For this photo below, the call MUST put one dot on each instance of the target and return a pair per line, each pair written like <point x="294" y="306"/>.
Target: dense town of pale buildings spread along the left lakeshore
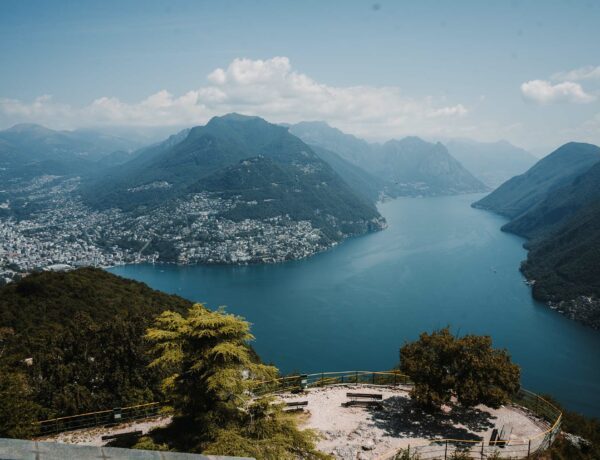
<point x="61" y="232"/>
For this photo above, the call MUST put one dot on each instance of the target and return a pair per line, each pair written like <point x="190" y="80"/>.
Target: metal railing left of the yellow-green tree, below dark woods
<point x="100" y="418"/>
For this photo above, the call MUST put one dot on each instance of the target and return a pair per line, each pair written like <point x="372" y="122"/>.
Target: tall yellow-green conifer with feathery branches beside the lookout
<point x="209" y="374"/>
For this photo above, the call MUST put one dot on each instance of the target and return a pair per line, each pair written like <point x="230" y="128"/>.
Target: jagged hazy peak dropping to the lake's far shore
<point x="418" y="167"/>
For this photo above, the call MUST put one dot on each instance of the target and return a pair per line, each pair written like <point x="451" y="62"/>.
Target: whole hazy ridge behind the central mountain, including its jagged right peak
<point x="409" y="166"/>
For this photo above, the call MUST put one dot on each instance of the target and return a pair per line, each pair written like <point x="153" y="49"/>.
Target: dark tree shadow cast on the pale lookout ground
<point x="401" y="417"/>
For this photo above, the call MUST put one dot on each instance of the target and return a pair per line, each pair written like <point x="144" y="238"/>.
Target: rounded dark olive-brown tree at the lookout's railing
<point x="443" y="367"/>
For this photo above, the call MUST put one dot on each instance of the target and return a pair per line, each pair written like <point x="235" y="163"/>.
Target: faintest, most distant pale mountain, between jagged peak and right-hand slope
<point x="491" y="162"/>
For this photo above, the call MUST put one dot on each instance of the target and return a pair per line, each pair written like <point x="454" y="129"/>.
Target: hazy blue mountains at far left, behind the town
<point x="29" y="150"/>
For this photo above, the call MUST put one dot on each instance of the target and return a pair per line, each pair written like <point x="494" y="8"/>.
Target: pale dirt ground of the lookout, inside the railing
<point x="376" y="433"/>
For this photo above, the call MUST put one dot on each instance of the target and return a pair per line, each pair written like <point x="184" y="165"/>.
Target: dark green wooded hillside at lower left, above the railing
<point x="83" y="331"/>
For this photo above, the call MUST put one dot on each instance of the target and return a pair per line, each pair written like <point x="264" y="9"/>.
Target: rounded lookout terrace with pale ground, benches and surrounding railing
<point x="377" y="421"/>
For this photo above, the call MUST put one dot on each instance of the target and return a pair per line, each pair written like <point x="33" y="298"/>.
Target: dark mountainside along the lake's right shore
<point x="556" y="205"/>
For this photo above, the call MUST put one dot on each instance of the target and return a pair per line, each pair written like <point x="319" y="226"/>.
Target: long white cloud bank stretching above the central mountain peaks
<point x="270" y="88"/>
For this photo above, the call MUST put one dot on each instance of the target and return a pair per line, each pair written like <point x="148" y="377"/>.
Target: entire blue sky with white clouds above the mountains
<point x="524" y="71"/>
